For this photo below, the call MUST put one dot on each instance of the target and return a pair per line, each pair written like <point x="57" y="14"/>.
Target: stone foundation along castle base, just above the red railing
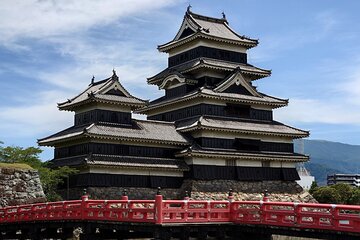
<point x="204" y="190"/>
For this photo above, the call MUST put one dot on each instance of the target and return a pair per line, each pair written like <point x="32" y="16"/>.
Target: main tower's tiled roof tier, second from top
<point x="255" y="72"/>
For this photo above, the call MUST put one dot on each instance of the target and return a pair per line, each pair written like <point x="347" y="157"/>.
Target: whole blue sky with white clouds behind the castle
<point x="49" y="51"/>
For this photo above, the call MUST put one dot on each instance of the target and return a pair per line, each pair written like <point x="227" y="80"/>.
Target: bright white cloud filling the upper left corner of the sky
<point x="44" y="18"/>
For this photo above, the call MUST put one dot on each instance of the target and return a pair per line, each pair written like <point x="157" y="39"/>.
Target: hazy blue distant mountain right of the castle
<point x="330" y="157"/>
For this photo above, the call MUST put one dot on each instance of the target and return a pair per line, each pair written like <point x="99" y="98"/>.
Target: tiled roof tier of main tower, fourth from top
<point x="242" y="126"/>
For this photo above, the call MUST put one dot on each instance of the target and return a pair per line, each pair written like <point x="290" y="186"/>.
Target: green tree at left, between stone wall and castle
<point x="50" y="177"/>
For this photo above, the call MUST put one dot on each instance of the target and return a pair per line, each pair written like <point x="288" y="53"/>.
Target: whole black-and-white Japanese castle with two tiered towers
<point x="211" y="131"/>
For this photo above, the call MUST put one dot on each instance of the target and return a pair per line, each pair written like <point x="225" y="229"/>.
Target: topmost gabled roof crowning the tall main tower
<point x="198" y="26"/>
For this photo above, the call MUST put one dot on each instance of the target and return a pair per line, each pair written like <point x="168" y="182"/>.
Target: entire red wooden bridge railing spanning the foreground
<point x="345" y="218"/>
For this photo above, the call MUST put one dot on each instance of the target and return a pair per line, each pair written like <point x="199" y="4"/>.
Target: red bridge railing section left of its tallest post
<point x="85" y="209"/>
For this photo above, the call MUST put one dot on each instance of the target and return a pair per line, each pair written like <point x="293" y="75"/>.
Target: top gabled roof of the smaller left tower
<point x="109" y="90"/>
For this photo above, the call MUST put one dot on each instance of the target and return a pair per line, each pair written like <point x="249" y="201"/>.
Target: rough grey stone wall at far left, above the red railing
<point x="20" y="186"/>
